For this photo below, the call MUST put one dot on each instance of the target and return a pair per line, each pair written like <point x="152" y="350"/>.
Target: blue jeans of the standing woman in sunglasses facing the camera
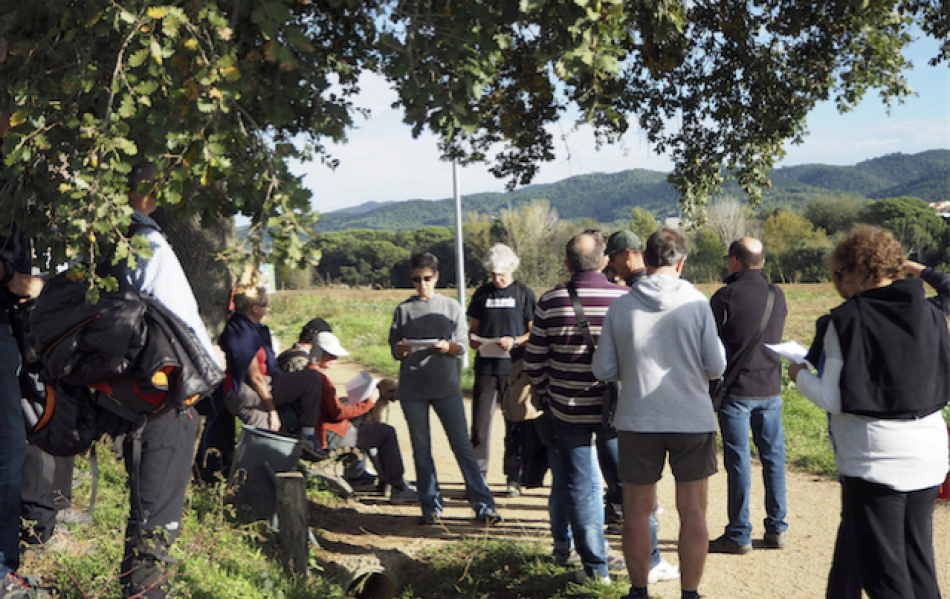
<point x="451" y="413"/>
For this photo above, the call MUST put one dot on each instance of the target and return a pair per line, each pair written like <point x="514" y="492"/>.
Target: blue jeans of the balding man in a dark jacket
<point x="765" y="417"/>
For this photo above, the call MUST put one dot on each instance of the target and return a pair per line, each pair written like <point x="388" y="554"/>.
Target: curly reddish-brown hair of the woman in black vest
<point x="871" y="251"/>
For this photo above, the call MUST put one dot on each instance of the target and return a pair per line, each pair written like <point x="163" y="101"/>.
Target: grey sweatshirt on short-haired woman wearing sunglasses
<point x="427" y="373"/>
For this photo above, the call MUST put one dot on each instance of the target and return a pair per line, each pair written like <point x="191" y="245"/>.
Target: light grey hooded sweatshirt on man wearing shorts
<point x="660" y="341"/>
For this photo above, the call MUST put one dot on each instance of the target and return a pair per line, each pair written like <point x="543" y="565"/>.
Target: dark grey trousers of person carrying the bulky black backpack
<point x="168" y="444"/>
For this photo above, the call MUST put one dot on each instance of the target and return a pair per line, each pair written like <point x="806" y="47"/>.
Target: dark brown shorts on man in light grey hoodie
<point x="642" y="455"/>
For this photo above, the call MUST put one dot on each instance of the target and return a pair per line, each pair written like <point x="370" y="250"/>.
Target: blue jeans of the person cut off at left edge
<point x="12" y="452"/>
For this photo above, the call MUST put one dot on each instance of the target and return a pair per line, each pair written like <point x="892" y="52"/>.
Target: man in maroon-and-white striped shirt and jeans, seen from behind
<point x="558" y="362"/>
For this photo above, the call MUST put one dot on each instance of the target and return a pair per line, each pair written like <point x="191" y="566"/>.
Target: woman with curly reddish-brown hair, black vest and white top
<point x="883" y="379"/>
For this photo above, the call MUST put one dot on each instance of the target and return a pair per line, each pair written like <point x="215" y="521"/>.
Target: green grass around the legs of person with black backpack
<point x="218" y="557"/>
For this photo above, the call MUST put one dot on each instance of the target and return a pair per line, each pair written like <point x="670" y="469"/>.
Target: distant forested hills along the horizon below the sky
<point x="608" y="197"/>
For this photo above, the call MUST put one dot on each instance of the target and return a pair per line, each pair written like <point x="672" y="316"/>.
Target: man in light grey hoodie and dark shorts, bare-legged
<point x="660" y="341"/>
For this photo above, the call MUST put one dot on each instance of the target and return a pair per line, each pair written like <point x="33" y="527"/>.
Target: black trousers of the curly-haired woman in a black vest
<point x="893" y="534"/>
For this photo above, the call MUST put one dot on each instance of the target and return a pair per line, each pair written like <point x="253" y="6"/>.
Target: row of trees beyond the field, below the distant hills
<point x="798" y="243"/>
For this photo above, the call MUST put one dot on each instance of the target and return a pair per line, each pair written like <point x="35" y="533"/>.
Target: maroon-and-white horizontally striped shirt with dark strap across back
<point x="557" y="358"/>
